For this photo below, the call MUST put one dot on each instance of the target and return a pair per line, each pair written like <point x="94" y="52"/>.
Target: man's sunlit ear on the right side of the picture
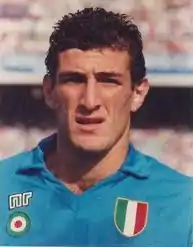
<point x="139" y="93"/>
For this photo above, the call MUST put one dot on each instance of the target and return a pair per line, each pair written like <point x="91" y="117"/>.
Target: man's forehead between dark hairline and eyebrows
<point x="93" y="60"/>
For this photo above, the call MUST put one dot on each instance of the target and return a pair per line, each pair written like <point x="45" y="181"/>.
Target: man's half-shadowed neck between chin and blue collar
<point x="83" y="169"/>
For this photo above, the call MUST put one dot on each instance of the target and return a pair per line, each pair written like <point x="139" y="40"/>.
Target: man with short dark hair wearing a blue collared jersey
<point x="87" y="184"/>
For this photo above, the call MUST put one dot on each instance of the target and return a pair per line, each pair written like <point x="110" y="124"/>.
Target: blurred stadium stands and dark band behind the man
<point x="163" y="127"/>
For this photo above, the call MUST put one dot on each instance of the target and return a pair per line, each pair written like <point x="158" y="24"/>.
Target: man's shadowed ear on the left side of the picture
<point x="48" y="91"/>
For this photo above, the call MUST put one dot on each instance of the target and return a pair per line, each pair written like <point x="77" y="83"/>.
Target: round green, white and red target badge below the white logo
<point x="18" y="224"/>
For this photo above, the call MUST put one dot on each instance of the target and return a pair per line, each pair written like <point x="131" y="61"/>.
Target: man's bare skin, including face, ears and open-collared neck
<point x="92" y="98"/>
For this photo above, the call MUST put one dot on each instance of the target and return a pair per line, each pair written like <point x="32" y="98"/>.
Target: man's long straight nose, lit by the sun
<point x="90" y="98"/>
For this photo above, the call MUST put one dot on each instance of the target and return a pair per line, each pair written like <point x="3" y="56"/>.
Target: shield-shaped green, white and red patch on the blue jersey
<point x="130" y="216"/>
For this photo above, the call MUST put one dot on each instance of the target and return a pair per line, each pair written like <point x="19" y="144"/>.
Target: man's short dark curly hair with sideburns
<point x="94" y="28"/>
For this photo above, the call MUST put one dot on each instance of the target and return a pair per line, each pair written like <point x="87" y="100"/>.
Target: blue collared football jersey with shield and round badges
<point x="144" y="204"/>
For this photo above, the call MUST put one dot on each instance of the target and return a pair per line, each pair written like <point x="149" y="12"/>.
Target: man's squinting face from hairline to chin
<point x="93" y="97"/>
